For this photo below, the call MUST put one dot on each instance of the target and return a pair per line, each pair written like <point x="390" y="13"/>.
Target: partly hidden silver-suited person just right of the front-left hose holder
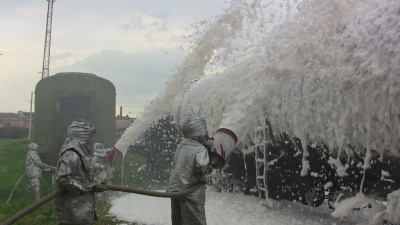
<point x="102" y="168"/>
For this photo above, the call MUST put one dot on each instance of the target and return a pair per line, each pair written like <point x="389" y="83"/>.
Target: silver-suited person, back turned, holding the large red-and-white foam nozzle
<point x="190" y="165"/>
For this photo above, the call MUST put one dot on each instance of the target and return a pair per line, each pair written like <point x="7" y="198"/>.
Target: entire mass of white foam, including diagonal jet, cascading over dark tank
<point x="323" y="71"/>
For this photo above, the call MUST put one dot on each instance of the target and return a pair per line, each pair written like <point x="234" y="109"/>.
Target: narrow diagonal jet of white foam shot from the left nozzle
<point x="193" y="68"/>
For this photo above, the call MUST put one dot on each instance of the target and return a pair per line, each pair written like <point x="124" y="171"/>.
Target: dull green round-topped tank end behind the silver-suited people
<point x="64" y="97"/>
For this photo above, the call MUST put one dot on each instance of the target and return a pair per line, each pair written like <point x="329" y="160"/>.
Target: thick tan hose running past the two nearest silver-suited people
<point x="56" y="193"/>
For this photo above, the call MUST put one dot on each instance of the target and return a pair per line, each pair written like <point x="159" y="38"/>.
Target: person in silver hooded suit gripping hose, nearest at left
<point x="74" y="173"/>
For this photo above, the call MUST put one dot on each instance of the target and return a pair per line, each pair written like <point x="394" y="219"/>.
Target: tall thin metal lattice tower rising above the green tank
<point x="47" y="40"/>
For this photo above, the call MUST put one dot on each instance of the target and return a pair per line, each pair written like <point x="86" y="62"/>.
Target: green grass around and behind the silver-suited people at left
<point x="129" y="172"/>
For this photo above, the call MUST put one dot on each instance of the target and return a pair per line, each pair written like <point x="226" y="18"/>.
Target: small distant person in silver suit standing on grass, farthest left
<point x="33" y="169"/>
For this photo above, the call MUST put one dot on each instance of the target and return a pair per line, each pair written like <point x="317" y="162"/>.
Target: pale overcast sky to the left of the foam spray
<point x="135" y="44"/>
